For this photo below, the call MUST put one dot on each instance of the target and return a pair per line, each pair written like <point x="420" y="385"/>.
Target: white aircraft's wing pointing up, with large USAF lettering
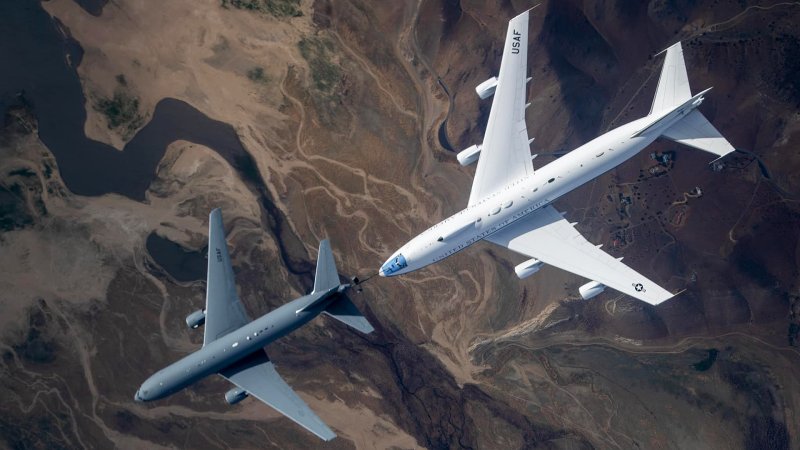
<point x="505" y="153"/>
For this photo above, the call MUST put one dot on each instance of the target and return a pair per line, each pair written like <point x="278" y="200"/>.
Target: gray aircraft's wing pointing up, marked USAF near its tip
<point x="224" y="311"/>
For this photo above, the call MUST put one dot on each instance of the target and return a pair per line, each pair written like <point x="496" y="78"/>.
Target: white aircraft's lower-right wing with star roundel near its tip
<point x="548" y="237"/>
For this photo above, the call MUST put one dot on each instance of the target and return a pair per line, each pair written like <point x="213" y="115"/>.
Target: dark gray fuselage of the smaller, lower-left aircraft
<point x="236" y="345"/>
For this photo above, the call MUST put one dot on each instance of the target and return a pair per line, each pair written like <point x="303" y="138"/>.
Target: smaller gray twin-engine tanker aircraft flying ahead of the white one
<point x="233" y="344"/>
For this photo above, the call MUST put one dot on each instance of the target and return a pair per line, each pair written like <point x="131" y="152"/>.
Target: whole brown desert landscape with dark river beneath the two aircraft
<point x="126" y="122"/>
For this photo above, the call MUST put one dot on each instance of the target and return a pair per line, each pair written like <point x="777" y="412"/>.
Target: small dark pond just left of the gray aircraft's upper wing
<point x="181" y="263"/>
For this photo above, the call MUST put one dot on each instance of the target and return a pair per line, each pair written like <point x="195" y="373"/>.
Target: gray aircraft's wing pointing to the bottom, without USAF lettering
<point x="257" y="375"/>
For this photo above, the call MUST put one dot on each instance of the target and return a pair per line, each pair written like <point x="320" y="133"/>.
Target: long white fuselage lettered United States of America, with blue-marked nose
<point x="526" y="195"/>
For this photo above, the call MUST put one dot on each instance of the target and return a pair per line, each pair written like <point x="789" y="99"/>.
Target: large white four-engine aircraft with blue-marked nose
<point x="510" y="203"/>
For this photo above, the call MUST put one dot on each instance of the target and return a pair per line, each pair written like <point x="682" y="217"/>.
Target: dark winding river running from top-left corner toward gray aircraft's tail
<point x="38" y="71"/>
